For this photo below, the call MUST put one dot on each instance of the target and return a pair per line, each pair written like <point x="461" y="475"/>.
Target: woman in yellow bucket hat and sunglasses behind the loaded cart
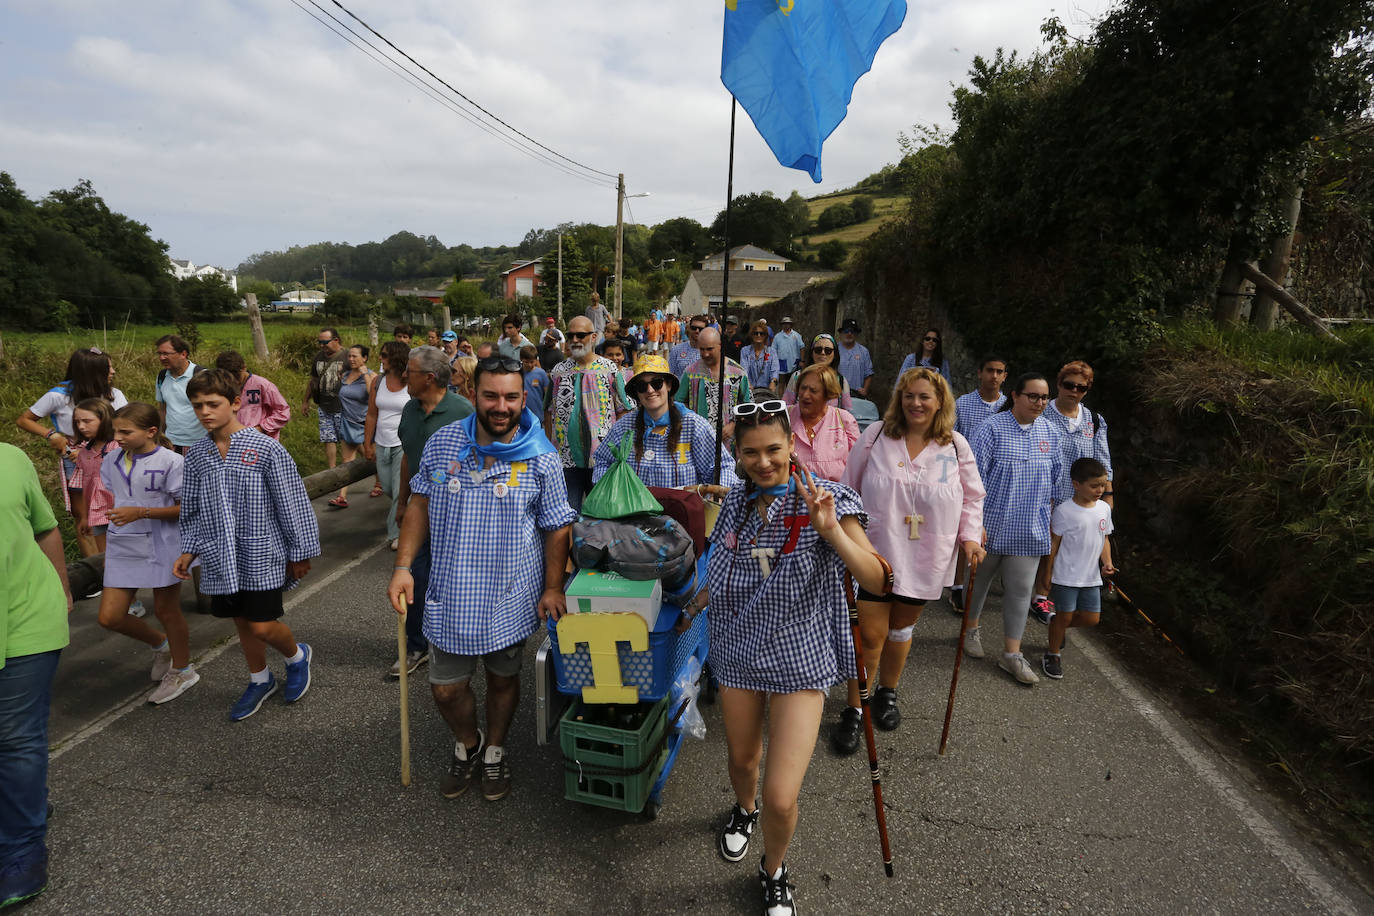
<point x="673" y="446"/>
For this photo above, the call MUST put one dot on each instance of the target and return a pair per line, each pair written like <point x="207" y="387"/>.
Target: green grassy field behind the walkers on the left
<point x="34" y="363"/>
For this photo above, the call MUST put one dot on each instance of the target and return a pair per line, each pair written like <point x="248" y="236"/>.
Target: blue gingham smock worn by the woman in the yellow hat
<point x="693" y="462"/>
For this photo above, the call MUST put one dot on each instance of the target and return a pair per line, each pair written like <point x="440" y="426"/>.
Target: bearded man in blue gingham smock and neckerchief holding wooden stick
<point x="490" y="496"/>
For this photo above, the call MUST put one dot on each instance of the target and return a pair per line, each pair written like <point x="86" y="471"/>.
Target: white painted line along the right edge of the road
<point x="1331" y="899"/>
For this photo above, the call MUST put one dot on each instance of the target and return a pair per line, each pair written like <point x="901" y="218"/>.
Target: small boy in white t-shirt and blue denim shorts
<point x="1079" y="556"/>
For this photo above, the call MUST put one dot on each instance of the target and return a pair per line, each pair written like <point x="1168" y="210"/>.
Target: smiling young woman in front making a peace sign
<point x="780" y="632"/>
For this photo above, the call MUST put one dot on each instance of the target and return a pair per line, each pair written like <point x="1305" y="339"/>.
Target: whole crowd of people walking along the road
<point x="487" y="454"/>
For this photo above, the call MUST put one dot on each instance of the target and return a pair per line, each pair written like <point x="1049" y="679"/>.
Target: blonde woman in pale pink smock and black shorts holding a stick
<point x="923" y="492"/>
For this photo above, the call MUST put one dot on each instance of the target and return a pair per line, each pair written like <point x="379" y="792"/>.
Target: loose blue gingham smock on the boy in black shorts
<point x="245" y="516"/>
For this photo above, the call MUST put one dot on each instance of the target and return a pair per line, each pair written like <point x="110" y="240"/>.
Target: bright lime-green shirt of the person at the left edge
<point x="36" y="608"/>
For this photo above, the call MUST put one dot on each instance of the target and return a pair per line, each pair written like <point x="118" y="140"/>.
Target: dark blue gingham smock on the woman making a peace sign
<point x="789" y="632"/>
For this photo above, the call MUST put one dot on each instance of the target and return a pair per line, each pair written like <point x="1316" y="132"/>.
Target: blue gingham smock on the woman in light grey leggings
<point x="1020" y="470"/>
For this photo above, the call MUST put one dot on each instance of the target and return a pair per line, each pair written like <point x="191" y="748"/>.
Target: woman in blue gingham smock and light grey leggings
<point x="1020" y="461"/>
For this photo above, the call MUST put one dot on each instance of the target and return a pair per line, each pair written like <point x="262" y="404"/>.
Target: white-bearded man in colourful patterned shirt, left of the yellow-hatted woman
<point x="587" y="396"/>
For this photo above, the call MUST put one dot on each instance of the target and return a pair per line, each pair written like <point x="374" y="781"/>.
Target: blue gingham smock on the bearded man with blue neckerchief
<point x="487" y="553"/>
